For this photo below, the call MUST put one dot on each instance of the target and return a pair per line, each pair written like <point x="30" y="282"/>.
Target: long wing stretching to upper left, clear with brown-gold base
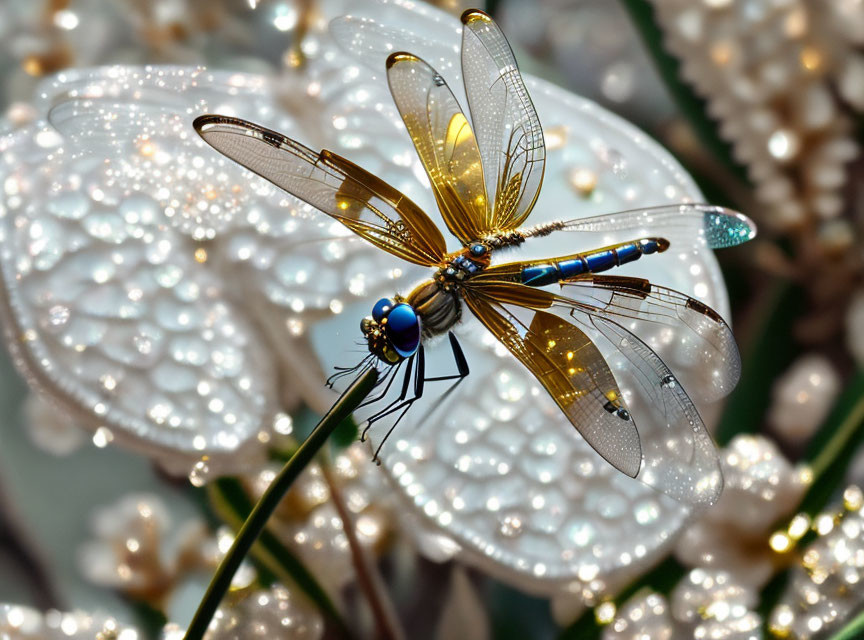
<point x="364" y="203"/>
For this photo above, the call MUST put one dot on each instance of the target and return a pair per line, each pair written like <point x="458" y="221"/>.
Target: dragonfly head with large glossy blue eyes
<point x="392" y="331"/>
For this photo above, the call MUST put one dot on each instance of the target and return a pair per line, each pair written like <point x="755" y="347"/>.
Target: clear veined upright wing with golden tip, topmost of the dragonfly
<point x="506" y="124"/>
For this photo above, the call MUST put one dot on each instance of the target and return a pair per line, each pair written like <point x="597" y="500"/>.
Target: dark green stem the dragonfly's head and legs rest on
<point x="257" y="520"/>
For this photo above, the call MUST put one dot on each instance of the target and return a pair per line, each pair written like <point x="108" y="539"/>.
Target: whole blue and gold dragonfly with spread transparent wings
<point x="486" y="174"/>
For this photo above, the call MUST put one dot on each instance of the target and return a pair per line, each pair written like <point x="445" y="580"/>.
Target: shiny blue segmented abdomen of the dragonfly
<point x="540" y="275"/>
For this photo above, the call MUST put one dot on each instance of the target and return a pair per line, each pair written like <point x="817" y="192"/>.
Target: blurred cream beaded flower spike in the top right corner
<point x="769" y="72"/>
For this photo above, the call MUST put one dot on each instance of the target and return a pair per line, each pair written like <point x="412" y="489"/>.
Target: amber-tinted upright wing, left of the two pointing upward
<point x="445" y="143"/>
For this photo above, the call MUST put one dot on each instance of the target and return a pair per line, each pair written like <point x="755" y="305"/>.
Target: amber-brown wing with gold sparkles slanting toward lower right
<point x="570" y="368"/>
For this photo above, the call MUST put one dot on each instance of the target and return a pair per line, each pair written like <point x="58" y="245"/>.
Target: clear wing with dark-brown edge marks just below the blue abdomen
<point x="696" y="339"/>
